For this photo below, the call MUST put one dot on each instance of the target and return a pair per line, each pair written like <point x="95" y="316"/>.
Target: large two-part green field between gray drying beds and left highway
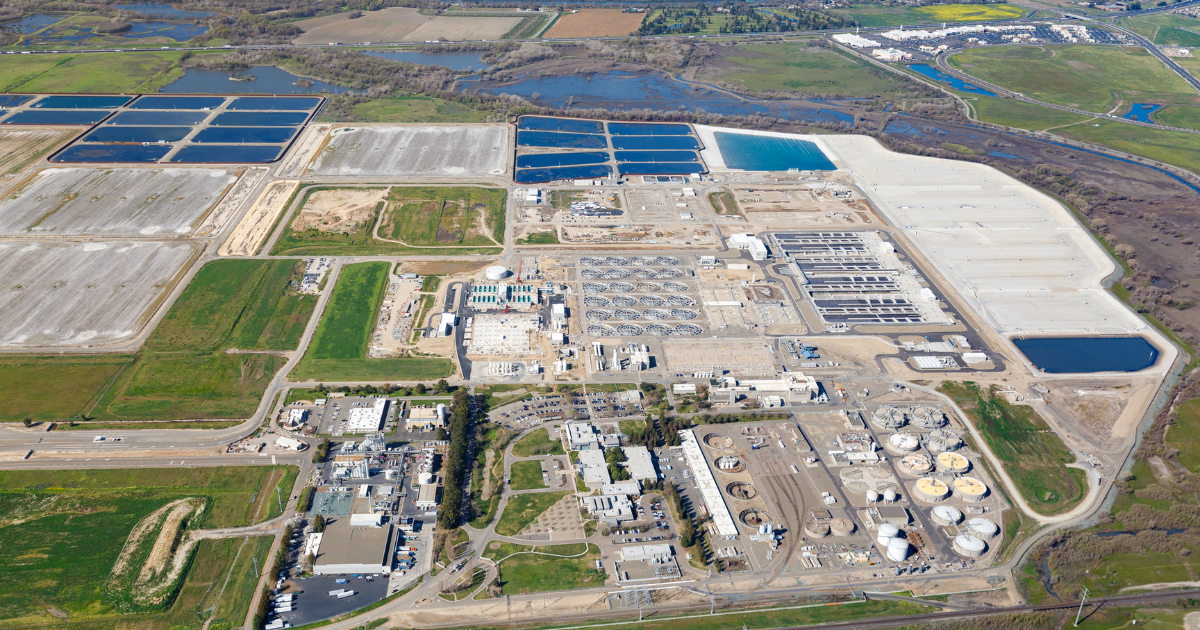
<point x="183" y="371"/>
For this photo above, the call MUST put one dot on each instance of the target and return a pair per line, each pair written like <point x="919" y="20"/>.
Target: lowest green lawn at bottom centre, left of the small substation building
<point x="538" y="573"/>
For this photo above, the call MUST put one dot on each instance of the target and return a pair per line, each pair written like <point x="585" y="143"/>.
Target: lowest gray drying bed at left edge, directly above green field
<point x="85" y="293"/>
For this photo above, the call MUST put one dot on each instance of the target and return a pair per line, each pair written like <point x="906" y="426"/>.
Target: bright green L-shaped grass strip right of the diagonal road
<point x="339" y="349"/>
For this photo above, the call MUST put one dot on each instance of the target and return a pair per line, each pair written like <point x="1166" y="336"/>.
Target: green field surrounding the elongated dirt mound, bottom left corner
<point x="63" y="531"/>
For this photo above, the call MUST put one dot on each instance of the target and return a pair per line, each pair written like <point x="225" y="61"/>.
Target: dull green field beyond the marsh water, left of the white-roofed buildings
<point x="799" y="68"/>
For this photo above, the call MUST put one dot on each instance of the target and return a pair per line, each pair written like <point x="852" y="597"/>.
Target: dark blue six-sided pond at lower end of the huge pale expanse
<point x="1059" y="356"/>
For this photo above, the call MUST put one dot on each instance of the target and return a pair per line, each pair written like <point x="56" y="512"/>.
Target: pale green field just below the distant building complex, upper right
<point x="1088" y="77"/>
